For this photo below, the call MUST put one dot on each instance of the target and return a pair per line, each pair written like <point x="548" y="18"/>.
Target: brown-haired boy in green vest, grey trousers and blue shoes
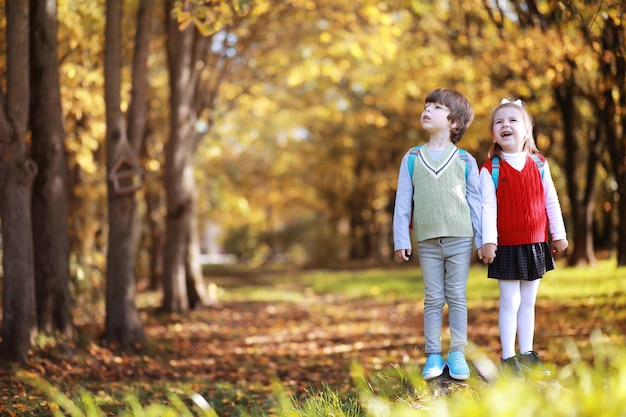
<point x="439" y="191"/>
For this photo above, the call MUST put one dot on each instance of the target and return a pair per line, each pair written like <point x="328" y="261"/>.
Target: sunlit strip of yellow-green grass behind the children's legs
<point x="405" y="282"/>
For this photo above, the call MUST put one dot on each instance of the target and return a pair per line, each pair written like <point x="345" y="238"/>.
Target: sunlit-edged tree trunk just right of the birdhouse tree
<point x="180" y="264"/>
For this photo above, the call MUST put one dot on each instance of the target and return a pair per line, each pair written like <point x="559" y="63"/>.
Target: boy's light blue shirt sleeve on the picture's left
<point x="403" y="207"/>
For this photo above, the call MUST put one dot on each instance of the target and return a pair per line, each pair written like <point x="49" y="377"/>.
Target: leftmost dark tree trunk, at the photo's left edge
<point x="17" y="172"/>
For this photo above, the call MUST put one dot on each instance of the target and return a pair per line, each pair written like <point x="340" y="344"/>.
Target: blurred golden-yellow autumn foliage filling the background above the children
<point x="348" y="76"/>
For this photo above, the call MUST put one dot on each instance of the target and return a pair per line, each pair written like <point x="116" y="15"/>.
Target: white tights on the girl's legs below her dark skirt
<point x="517" y="315"/>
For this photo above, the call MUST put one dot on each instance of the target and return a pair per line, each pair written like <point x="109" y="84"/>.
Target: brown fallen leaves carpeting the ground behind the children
<point x="248" y="345"/>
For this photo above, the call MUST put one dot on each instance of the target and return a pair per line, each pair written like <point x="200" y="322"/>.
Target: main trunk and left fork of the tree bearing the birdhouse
<point x="123" y="327"/>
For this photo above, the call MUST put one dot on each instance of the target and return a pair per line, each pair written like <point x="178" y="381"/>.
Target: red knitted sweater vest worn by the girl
<point x="522" y="217"/>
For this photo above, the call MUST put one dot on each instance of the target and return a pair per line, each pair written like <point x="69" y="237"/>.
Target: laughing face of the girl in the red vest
<point x="509" y="129"/>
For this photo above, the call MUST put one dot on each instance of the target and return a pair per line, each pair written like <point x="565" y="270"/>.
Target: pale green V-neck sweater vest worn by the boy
<point x="439" y="196"/>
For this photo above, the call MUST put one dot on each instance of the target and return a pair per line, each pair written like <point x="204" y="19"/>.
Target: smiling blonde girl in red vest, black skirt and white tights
<point x="519" y="203"/>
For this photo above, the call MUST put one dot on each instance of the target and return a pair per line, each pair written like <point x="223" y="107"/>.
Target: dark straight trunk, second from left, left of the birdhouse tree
<point x="50" y="195"/>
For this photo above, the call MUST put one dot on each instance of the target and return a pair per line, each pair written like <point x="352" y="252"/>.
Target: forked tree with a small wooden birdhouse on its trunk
<point x="123" y="326"/>
